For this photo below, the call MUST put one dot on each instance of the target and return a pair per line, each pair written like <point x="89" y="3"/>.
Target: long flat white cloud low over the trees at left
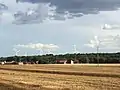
<point x="39" y="46"/>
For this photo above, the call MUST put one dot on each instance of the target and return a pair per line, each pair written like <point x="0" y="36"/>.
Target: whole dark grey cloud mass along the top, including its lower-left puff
<point x="66" y="9"/>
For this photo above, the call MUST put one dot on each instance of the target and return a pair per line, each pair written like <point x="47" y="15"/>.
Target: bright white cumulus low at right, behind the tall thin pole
<point x="106" y="42"/>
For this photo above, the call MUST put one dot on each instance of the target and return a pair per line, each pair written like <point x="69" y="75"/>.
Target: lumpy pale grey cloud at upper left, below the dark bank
<point x="38" y="14"/>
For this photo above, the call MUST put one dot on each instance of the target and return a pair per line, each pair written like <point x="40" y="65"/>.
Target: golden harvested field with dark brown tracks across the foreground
<point x="60" y="77"/>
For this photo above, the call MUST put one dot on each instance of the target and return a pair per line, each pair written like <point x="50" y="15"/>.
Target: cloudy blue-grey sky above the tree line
<point x="61" y="23"/>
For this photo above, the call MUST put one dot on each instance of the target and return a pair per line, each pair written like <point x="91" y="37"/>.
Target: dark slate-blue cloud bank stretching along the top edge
<point x="80" y="6"/>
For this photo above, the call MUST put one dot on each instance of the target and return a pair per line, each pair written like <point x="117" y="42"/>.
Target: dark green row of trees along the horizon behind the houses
<point x="81" y="58"/>
